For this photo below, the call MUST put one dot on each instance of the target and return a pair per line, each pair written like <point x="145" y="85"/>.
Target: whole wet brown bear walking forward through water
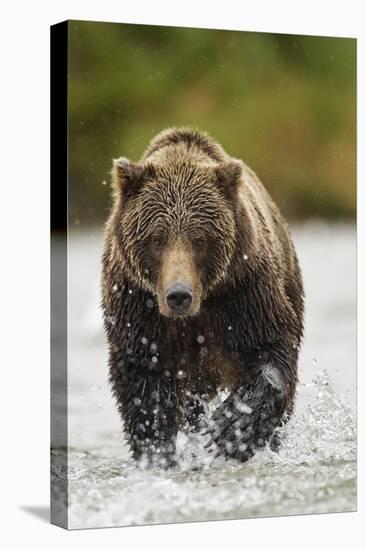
<point x="202" y="290"/>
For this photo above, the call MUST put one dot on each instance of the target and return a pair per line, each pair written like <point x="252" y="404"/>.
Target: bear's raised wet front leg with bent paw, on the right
<point x="247" y="419"/>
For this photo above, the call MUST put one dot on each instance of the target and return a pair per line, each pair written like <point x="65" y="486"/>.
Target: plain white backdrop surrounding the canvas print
<point x="24" y="218"/>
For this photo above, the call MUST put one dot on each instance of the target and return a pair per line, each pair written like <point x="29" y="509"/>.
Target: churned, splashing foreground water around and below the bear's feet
<point x="314" y="471"/>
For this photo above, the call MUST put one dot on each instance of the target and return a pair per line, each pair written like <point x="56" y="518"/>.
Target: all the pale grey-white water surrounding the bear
<point x="315" y="470"/>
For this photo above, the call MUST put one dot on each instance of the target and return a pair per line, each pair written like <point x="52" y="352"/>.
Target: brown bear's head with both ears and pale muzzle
<point x="174" y="222"/>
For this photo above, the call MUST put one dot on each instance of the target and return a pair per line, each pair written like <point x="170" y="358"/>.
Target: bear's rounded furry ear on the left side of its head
<point x="128" y="177"/>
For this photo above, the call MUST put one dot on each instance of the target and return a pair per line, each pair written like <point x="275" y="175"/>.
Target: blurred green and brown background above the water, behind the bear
<point x="285" y="104"/>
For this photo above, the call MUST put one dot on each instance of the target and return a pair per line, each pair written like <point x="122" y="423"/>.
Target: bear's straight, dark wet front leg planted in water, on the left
<point x="148" y="400"/>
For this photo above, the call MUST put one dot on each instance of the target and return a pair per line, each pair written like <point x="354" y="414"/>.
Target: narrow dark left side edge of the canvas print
<point x="59" y="492"/>
